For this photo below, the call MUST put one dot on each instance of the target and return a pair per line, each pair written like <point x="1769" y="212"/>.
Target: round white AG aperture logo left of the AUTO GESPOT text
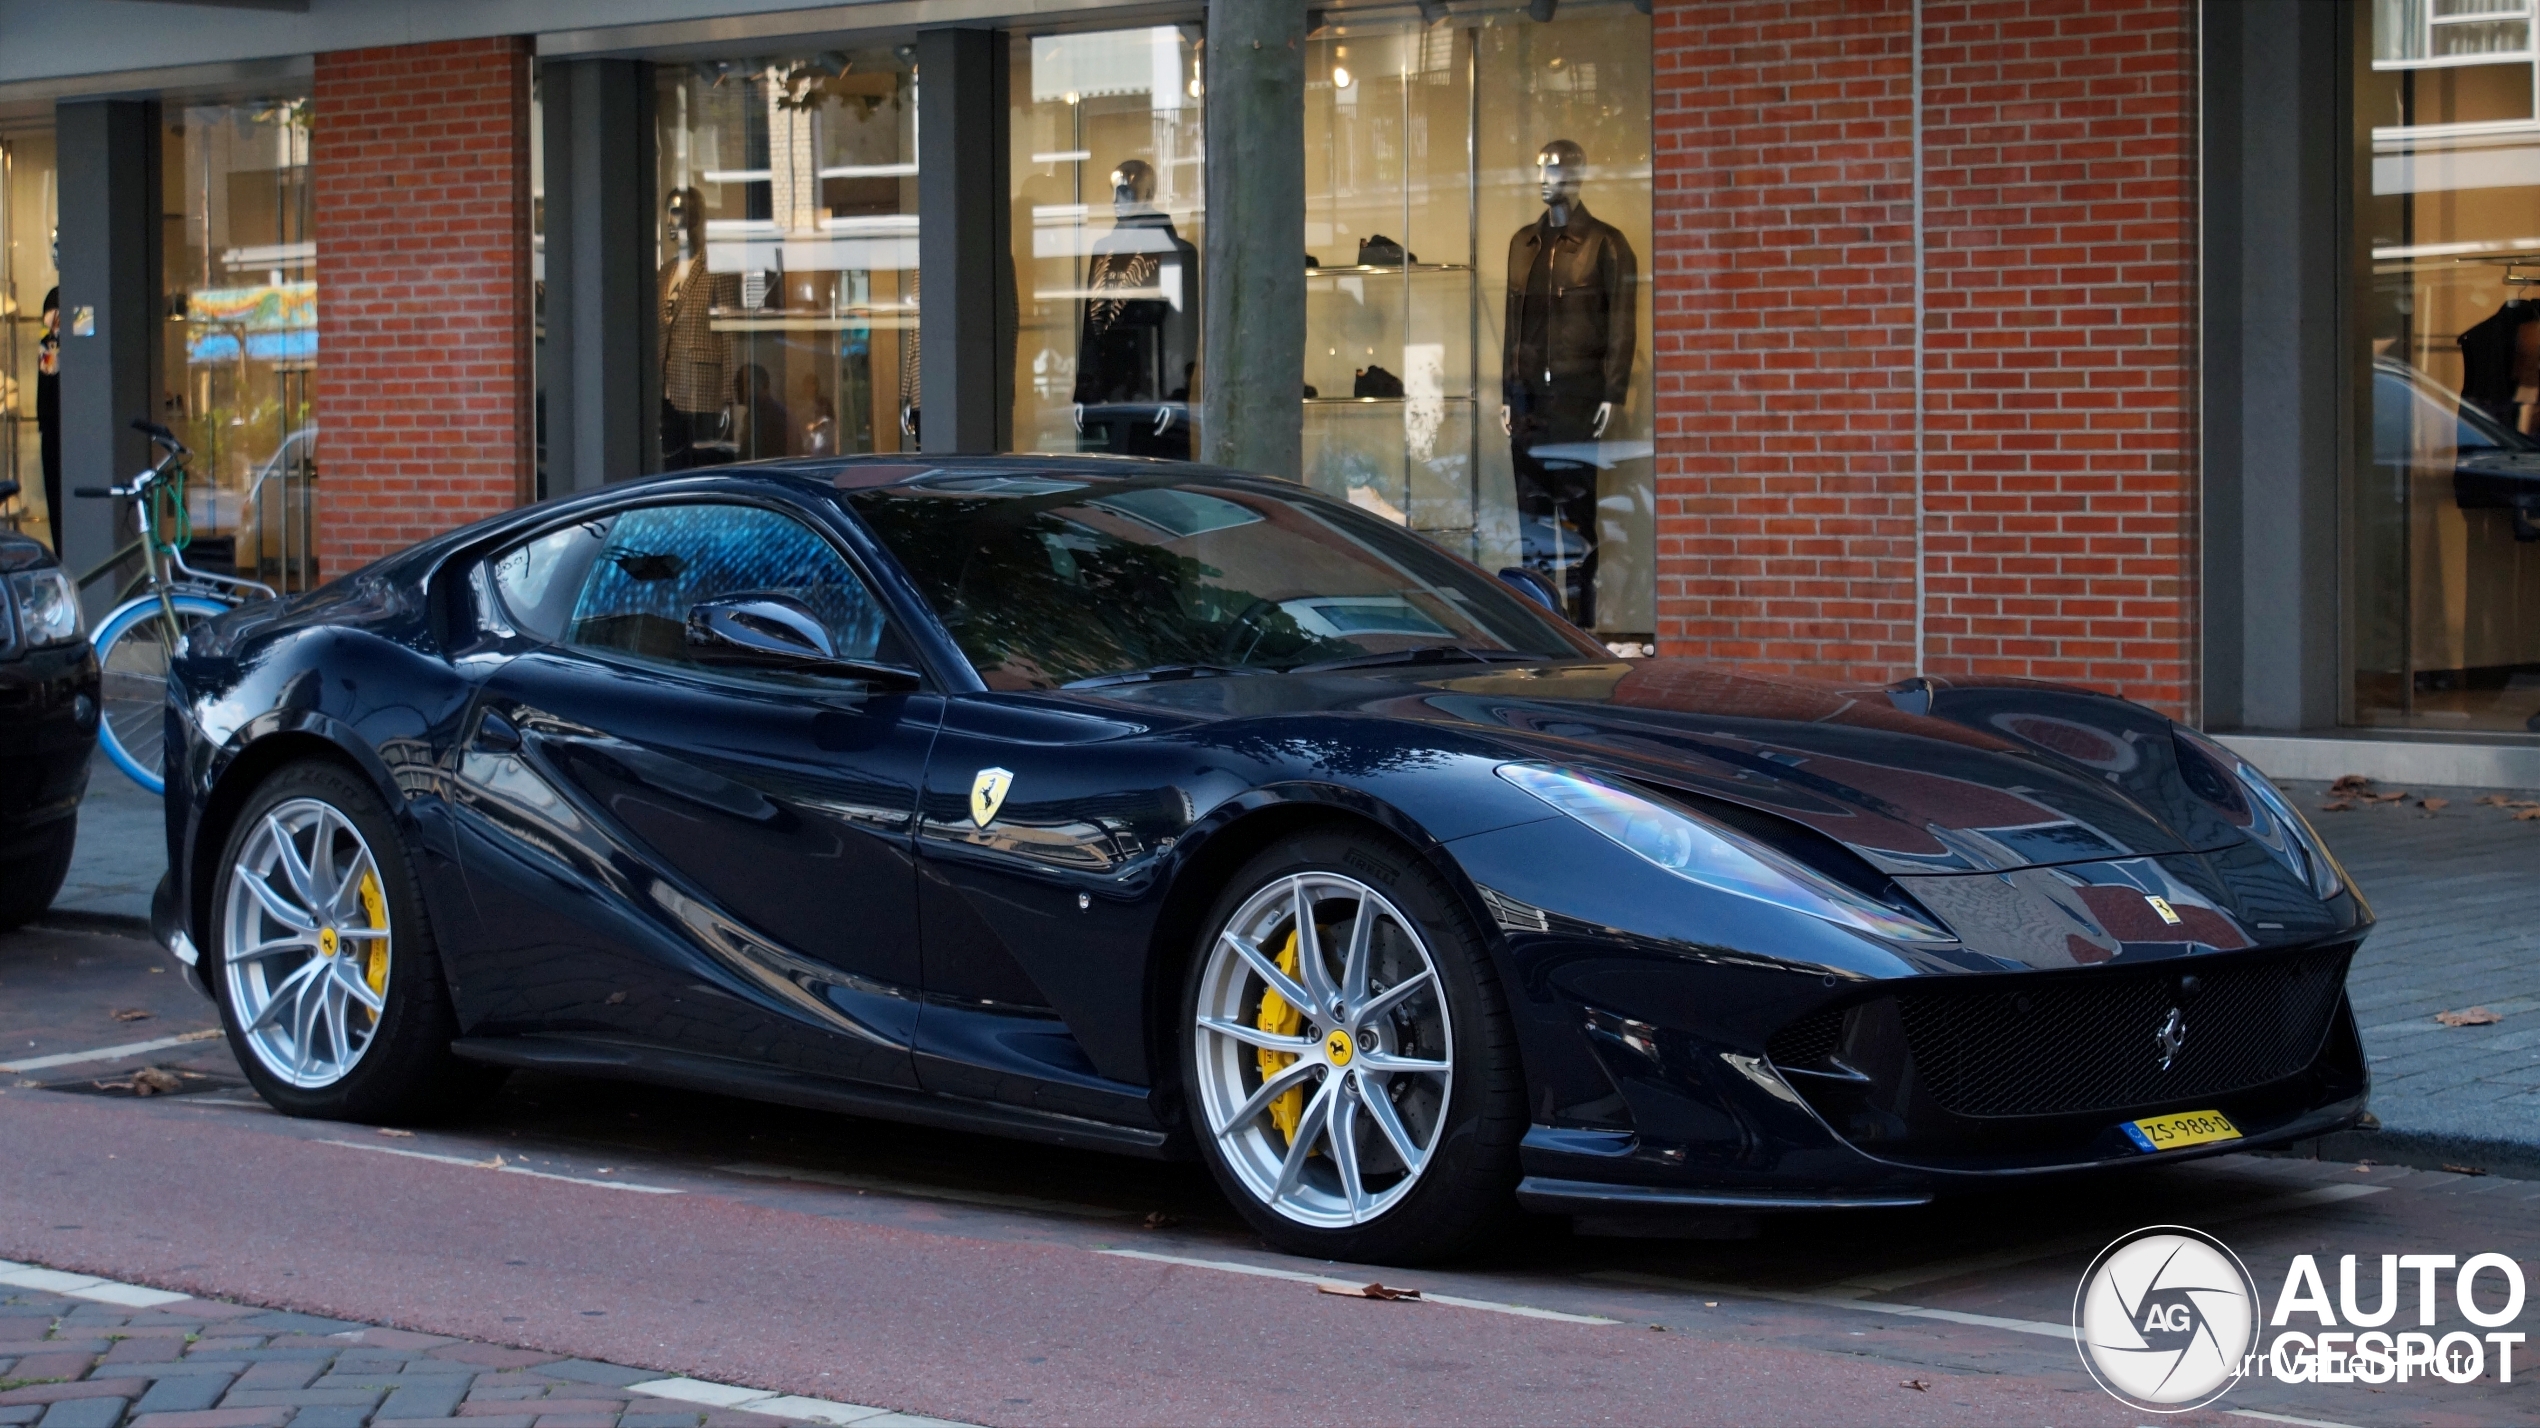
<point x="2165" y="1317"/>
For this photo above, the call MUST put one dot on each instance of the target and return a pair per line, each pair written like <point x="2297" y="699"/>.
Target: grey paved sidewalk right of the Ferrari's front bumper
<point x="2457" y="893"/>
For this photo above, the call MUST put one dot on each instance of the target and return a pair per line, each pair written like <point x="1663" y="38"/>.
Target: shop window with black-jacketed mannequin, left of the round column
<point x="1106" y="240"/>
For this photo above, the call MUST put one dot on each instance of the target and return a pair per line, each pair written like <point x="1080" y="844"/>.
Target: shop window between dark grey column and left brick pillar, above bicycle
<point x="240" y="349"/>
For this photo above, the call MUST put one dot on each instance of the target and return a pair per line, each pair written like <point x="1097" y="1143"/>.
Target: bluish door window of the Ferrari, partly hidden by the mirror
<point x="662" y="560"/>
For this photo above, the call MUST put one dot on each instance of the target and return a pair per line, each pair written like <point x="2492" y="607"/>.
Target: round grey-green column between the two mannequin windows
<point x="1253" y="266"/>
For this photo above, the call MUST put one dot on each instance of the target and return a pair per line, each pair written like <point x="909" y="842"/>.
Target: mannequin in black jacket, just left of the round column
<point x="1139" y="349"/>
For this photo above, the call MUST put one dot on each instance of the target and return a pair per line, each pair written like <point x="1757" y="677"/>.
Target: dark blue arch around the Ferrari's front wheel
<point x="1210" y="855"/>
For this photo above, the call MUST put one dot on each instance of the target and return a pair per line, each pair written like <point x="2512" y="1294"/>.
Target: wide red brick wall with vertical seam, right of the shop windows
<point x="2059" y="339"/>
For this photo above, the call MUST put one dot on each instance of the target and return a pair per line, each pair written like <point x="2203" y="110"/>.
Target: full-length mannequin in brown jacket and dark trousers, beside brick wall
<point x="1566" y="365"/>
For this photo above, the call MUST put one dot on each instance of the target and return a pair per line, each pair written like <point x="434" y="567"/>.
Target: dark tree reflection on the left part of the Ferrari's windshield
<point x="1038" y="598"/>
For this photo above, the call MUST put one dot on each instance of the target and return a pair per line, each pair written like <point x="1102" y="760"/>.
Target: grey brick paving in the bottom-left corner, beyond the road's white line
<point x="194" y="1363"/>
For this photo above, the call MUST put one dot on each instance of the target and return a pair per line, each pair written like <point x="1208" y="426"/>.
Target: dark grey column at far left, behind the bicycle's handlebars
<point x="110" y="319"/>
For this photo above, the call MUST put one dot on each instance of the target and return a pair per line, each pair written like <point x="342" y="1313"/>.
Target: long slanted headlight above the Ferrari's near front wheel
<point x="1716" y="858"/>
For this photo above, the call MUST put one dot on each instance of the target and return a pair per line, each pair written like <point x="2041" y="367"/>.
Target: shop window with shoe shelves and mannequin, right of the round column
<point x="1477" y="329"/>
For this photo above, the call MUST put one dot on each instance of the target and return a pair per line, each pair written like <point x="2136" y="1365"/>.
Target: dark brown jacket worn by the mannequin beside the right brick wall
<point x="1586" y="329"/>
